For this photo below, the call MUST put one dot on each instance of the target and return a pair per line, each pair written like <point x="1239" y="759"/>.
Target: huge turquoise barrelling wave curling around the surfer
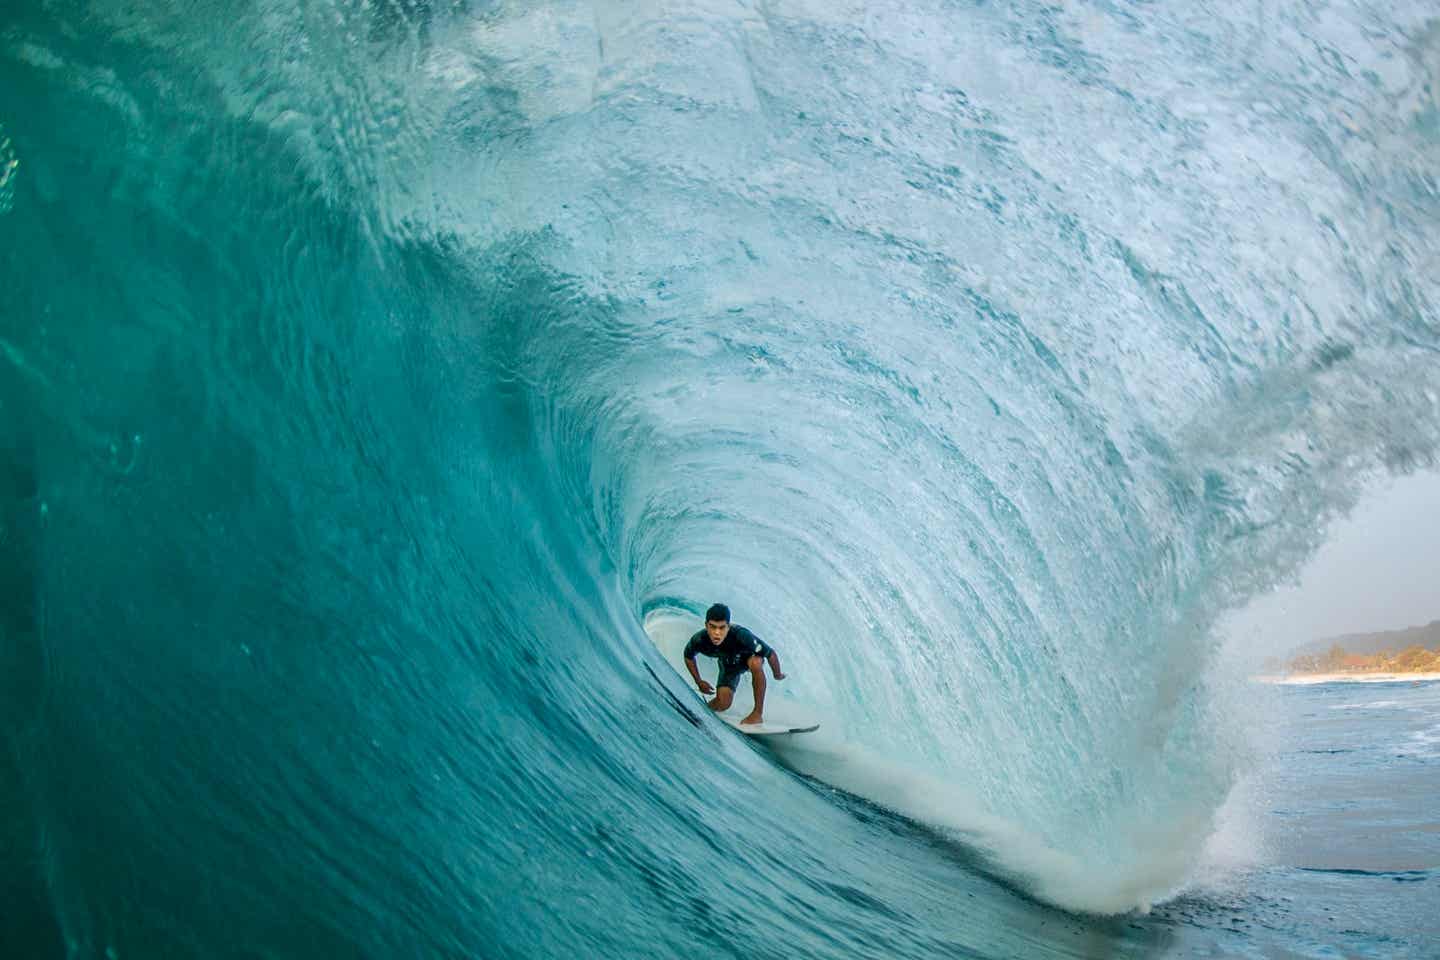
<point x="371" y="373"/>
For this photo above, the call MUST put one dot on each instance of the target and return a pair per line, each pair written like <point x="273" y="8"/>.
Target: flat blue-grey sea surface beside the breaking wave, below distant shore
<point x="1340" y="851"/>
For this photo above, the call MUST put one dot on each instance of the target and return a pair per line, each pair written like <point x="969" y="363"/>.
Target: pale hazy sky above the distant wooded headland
<point x="1380" y="571"/>
